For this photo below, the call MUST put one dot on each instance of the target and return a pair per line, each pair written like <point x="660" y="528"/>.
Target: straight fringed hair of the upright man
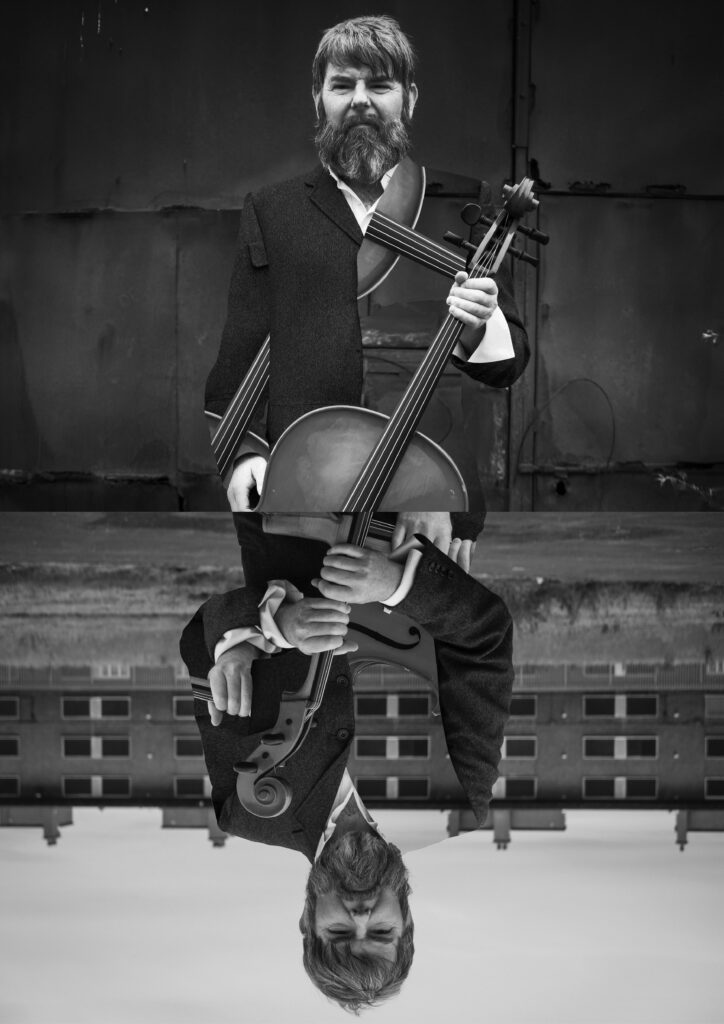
<point x="375" y="41"/>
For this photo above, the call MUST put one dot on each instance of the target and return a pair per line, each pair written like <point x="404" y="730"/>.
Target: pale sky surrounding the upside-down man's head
<point x="125" y="923"/>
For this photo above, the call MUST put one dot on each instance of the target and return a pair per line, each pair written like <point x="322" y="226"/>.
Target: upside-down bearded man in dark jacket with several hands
<point x="357" y="925"/>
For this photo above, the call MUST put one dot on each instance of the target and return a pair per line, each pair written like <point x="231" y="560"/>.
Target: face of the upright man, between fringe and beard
<point x="354" y="94"/>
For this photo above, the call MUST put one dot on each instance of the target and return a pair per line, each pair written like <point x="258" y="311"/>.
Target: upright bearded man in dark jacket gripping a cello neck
<point x="295" y="276"/>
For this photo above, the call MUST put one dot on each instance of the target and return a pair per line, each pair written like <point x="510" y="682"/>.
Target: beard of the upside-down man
<point x="358" y="866"/>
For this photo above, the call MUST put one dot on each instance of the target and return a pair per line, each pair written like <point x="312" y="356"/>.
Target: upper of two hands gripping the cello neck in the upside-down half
<point x="357" y="576"/>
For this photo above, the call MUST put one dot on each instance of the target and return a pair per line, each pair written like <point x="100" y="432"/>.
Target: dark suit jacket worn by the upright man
<point x="295" y="277"/>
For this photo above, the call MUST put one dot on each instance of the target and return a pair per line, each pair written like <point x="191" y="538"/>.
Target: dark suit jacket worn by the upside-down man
<point x="473" y="631"/>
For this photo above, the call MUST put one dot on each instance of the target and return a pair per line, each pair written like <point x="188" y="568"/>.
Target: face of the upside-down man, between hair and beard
<point x="371" y="925"/>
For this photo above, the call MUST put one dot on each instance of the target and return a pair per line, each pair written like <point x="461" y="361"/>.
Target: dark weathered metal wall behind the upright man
<point x="134" y="130"/>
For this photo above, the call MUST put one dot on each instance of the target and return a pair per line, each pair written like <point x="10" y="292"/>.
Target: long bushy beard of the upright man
<point x="363" y="150"/>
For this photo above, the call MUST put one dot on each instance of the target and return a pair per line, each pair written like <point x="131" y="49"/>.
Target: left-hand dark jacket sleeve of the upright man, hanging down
<point x="247" y="320"/>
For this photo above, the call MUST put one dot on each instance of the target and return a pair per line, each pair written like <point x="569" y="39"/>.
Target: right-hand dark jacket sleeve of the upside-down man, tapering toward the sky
<point x="473" y="631"/>
